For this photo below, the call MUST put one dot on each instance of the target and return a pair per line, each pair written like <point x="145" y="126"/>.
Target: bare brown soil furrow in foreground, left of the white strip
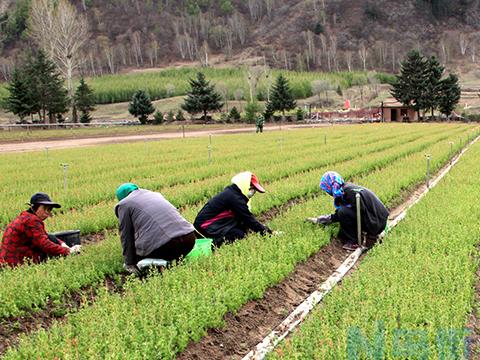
<point x="256" y="319"/>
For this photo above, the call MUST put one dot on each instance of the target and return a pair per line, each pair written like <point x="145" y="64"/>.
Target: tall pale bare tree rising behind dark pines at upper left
<point x="61" y="32"/>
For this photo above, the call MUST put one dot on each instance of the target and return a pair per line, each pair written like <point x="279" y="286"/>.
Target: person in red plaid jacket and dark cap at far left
<point x="25" y="238"/>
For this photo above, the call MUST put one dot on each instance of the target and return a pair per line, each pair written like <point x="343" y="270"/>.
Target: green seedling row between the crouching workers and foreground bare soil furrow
<point x="157" y="318"/>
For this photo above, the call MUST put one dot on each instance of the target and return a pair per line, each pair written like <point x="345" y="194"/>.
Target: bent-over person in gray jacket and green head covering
<point x="150" y="227"/>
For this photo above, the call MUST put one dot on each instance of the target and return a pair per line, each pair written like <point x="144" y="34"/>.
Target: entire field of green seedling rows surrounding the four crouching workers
<point x="398" y="285"/>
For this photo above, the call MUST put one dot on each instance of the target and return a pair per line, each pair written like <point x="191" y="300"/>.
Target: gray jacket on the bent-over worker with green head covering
<point x="146" y="222"/>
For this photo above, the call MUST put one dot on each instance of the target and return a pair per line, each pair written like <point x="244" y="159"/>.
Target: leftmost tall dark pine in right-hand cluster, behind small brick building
<point x="409" y="87"/>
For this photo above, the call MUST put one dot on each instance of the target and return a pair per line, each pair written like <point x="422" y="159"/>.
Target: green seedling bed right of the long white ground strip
<point x="412" y="296"/>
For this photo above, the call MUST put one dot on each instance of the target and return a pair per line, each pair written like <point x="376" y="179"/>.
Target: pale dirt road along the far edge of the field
<point x="92" y="141"/>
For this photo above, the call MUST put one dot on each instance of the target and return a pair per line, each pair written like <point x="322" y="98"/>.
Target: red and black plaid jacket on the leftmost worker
<point x="26" y="238"/>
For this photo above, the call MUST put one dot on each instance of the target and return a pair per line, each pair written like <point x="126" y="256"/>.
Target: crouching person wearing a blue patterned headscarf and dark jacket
<point x="373" y="213"/>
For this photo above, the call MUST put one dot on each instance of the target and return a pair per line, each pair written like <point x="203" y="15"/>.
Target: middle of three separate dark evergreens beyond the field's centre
<point x="202" y="97"/>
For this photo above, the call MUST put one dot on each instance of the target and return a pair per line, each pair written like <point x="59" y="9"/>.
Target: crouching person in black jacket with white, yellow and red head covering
<point x="226" y="217"/>
